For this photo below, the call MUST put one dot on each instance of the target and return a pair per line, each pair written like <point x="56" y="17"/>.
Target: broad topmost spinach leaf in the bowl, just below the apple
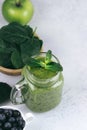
<point x="14" y="33"/>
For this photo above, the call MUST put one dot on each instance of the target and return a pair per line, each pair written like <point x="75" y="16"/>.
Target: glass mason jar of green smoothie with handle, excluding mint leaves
<point x="40" y="89"/>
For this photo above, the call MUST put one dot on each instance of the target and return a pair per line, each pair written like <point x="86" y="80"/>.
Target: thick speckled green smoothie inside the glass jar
<point x="43" y="98"/>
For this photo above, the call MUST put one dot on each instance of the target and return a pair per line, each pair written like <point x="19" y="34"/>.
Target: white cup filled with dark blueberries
<point x="13" y="119"/>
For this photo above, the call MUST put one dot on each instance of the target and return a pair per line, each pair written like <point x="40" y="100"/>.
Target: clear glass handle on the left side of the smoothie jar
<point x="16" y="96"/>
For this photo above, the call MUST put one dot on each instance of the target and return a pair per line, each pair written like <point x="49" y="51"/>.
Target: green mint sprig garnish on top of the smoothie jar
<point x="47" y="64"/>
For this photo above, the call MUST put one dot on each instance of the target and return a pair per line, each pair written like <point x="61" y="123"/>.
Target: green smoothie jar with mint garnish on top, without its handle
<point x="43" y="82"/>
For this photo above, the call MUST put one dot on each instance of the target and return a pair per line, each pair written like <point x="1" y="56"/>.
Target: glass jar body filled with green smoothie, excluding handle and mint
<point x="44" y="89"/>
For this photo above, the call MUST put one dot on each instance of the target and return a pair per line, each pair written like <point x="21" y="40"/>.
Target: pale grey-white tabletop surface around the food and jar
<point x="62" y="24"/>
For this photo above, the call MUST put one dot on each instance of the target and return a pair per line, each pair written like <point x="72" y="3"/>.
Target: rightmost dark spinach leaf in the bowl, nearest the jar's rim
<point x="29" y="49"/>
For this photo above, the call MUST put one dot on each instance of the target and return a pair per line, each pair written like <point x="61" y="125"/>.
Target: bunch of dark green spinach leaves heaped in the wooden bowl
<point x="17" y="44"/>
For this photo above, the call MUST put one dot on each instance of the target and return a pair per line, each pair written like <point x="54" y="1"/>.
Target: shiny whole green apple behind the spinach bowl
<point x="20" y="11"/>
